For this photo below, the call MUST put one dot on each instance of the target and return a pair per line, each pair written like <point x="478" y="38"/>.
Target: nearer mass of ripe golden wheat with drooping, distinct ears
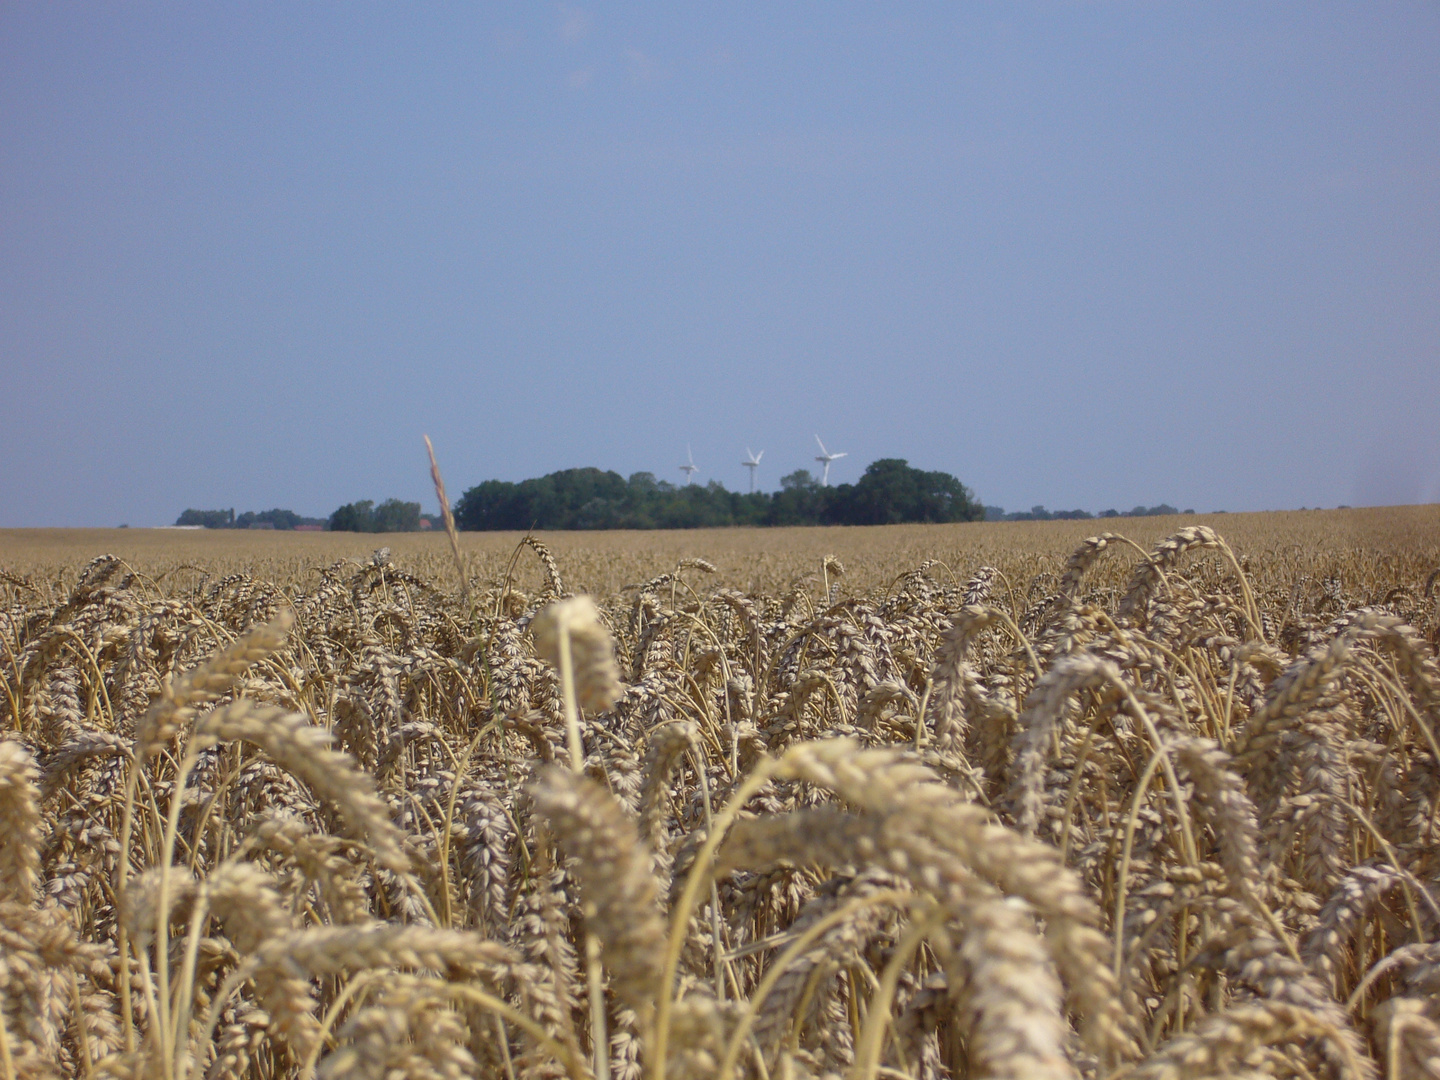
<point x="1151" y="814"/>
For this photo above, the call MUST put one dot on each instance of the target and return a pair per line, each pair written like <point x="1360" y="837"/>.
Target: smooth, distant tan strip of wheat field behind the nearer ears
<point x="745" y="558"/>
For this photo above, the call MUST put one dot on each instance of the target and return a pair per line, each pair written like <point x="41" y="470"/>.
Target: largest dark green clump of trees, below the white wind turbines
<point x="891" y="492"/>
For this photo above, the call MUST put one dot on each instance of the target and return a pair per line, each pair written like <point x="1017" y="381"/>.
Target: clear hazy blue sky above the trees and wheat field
<point x="1076" y="254"/>
